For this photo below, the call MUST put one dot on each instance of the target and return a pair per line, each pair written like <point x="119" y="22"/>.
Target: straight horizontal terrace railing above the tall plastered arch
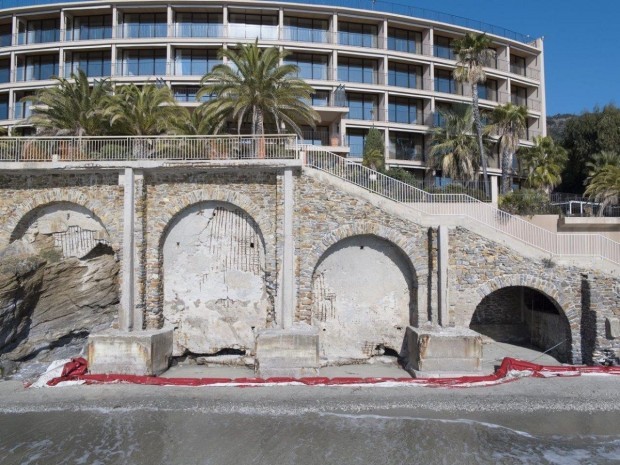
<point x="94" y="149"/>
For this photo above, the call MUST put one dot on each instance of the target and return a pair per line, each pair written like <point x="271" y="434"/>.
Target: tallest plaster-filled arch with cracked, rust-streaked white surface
<point x="215" y="293"/>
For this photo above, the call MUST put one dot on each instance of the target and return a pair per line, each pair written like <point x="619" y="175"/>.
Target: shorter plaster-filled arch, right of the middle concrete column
<point x="364" y="297"/>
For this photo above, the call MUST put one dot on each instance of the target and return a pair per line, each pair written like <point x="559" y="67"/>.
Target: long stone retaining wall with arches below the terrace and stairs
<point x="291" y="245"/>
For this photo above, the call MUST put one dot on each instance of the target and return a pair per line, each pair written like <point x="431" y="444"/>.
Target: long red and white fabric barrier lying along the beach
<point x="76" y="372"/>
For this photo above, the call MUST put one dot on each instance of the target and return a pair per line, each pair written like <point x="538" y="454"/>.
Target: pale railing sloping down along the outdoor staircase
<point x="556" y="244"/>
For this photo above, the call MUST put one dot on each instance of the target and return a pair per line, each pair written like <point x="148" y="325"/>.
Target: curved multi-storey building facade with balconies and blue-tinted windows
<point x="369" y="68"/>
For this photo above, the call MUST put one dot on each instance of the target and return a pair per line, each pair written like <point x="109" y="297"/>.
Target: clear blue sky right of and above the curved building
<point x="582" y="43"/>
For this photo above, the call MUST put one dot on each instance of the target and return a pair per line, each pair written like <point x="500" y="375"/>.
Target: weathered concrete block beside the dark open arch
<point x="441" y="350"/>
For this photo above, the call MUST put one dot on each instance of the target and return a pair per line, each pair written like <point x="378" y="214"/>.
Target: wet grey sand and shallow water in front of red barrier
<point x="555" y="421"/>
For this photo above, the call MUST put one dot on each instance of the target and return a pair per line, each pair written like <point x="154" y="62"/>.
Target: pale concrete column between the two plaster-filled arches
<point x="288" y="254"/>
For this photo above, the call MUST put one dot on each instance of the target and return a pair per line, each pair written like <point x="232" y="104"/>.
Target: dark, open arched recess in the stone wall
<point x="524" y="317"/>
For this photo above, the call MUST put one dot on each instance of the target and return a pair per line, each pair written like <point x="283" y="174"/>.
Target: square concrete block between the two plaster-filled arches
<point x="288" y="352"/>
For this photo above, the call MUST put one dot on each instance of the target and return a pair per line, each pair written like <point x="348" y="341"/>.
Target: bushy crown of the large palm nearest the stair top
<point x="255" y="87"/>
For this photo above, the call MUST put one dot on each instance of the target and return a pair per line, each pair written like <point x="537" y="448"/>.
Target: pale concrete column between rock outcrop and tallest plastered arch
<point x="126" y="319"/>
